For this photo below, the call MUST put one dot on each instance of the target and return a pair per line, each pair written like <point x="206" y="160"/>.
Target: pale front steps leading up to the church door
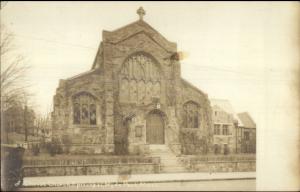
<point x="169" y="162"/>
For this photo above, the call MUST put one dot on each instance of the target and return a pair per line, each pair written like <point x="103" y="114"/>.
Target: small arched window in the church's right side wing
<point x="190" y="115"/>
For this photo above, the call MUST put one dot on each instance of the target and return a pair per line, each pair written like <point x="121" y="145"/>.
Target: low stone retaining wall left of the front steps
<point x="91" y="166"/>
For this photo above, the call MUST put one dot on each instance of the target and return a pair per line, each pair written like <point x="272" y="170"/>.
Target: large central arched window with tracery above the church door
<point x="140" y="79"/>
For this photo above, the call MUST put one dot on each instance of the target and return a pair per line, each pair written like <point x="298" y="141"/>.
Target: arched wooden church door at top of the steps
<point x="155" y="133"/>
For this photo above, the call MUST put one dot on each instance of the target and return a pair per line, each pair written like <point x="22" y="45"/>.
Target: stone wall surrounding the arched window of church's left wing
<point x="62" y="115"/>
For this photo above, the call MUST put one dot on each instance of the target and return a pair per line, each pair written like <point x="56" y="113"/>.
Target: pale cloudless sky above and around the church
<point x="245" y="52"/>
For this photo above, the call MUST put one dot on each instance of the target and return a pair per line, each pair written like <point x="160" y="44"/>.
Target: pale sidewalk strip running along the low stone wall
<point x="141" y="178"/>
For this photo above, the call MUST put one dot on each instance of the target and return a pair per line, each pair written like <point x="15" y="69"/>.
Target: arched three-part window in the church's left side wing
<point x="84" y="109"/>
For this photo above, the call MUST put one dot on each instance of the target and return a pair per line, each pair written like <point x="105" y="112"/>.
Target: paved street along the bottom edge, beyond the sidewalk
<point x="224" y="185"/>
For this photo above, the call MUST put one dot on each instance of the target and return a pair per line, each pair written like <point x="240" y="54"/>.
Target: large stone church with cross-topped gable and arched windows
<point x="133" y="97"/>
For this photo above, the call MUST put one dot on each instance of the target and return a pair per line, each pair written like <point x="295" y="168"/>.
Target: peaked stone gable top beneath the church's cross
<point x="137" y="27"/>
